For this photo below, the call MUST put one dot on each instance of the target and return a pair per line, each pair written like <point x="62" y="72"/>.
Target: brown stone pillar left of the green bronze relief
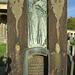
<point x="17" y="35"/>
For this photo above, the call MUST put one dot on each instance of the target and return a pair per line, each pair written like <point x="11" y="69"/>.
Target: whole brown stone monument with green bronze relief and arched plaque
<point x="37" y="37"/>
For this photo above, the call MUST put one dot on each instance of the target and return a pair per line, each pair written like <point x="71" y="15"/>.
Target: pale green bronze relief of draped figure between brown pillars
<point x="37" y="23"/>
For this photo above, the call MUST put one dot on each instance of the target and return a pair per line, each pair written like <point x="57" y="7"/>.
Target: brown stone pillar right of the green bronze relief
<point x="57" y="36"/>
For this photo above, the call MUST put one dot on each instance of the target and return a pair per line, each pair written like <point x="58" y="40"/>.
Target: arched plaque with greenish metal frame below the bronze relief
<point x="36" y="62"/>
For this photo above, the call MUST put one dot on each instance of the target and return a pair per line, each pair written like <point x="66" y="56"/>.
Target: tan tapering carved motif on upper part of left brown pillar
<point x="16" y="7"/>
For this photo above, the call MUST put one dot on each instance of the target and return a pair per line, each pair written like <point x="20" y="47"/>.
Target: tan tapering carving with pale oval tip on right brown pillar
<point x="57" y="6"/>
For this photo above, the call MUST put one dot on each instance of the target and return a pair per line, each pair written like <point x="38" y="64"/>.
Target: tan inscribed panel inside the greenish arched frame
<point x="36" y="65"/>
